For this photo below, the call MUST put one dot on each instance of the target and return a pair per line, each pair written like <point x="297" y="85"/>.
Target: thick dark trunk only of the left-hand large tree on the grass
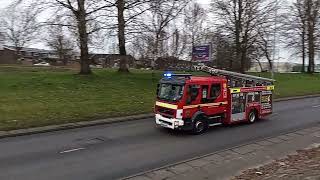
<point x="83" y="37"/>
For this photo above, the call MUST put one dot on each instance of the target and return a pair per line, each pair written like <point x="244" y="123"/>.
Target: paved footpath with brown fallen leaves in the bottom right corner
<point x="289" y="156"/>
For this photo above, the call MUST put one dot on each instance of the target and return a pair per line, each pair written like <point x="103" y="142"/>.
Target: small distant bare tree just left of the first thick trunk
<point x="60" y="43"/>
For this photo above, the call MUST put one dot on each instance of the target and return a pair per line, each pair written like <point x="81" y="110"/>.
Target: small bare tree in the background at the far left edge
<point x="21" y="26"/>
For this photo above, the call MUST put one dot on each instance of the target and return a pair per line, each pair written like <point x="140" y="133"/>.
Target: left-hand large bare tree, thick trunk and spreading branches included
<point x="82" y="17"/>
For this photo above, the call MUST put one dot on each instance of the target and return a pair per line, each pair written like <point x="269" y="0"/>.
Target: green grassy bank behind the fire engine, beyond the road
<point x="32" y="97"/>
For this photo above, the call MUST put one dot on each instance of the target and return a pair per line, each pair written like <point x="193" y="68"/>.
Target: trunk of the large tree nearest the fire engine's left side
<point x="121" y="37"/>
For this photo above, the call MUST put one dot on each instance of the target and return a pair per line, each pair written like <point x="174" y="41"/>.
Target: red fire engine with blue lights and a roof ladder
<point x="186" y="102"/>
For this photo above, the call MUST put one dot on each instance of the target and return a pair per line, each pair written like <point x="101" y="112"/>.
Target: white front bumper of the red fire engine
<point x="171" y="123"/>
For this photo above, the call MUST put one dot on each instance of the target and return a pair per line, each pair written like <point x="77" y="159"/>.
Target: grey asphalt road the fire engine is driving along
<point x="117" y="150"/>
